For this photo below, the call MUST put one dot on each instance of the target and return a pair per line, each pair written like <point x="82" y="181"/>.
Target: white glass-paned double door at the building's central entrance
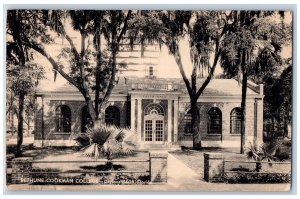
<point x="154" y="129"/>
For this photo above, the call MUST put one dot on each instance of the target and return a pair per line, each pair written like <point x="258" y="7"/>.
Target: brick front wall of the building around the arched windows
<point x="48" y="116"/>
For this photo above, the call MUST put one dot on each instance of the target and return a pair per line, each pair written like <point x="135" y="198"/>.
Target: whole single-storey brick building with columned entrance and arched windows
<point x="158" y="109"/>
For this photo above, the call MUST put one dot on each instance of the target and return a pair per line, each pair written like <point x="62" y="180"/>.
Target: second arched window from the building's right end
<point x="214" y="121"/>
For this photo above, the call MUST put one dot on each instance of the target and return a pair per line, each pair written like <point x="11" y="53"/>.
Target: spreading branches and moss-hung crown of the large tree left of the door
<point x="93" y="66"/>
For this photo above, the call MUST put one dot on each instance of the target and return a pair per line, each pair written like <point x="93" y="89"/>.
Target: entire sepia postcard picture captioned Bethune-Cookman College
<point x="149" y="99"/>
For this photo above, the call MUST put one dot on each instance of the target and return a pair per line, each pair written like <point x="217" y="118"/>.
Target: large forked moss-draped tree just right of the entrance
<point x="204" y="30"/>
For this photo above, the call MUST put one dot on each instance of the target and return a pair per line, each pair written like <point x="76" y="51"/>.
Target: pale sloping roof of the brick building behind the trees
<point x="216" y="87"/>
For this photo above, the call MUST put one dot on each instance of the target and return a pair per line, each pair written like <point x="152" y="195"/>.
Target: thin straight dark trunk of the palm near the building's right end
<point x="243" y="112"/>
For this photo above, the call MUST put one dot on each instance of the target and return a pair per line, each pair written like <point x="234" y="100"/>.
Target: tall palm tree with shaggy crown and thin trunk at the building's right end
<point x="252" y="49"/>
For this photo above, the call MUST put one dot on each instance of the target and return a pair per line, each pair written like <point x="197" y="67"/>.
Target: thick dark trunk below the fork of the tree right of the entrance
<point x="195" y="124"/>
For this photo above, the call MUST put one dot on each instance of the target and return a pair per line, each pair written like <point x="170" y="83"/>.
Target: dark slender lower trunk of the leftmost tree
<point x="20" y="124"/>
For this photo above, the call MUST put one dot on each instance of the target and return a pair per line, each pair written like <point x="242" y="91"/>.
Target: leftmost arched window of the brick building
<point x="63" y="119"/>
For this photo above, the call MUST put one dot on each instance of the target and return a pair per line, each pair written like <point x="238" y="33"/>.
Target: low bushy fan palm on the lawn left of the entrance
<point x="107" y="141"/>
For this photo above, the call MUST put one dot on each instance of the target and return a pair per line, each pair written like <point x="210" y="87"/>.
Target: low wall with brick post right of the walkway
<point x="217" y="169"/>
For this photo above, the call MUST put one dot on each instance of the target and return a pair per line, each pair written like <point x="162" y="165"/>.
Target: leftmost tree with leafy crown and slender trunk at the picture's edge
<point x="23" y="74"/>
